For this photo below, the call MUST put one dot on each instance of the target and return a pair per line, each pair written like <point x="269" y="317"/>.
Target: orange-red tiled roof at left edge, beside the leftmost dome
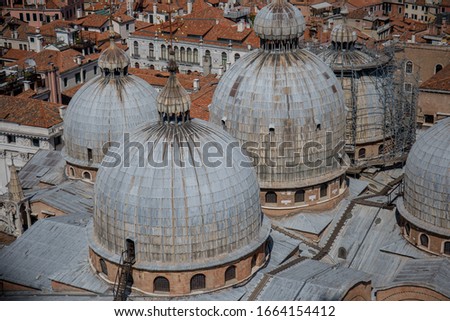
<point x="29" y="112"/>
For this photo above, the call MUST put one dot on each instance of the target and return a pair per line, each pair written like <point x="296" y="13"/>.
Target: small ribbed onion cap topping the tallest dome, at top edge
<point x="279" y="20"/>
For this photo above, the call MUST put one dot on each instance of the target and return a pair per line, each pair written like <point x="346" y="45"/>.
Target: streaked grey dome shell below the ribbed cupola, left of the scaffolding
<point x="290" y="97"/>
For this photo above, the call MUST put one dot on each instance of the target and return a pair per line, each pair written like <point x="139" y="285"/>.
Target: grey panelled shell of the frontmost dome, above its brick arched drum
<point x="180" y="217"/>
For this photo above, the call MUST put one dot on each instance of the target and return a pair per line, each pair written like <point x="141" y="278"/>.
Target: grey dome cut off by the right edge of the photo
<point x="427" y="179"/>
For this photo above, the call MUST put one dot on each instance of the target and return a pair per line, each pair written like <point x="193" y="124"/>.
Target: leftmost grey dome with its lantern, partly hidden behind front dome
<point x="105" y="108"/>
